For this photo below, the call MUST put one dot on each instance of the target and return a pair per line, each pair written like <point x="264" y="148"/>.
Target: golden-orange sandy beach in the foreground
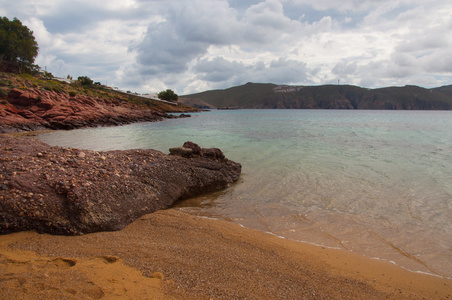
<point x="172" y="255"/>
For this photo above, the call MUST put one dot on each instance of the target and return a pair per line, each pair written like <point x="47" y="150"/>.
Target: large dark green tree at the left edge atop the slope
<point x="17" y="43"/>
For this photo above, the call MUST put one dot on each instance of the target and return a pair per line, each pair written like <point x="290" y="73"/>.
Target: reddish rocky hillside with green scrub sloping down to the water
<point x="32" y="103"/>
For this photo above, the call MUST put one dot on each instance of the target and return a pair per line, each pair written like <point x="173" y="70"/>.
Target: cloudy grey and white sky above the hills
<point x="196" y="45"/>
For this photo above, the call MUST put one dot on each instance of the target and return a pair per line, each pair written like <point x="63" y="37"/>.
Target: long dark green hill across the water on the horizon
<point x="267" y="95"/>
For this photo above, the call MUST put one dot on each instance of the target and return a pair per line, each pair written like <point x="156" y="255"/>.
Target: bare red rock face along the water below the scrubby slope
<point x="42" y="109"/>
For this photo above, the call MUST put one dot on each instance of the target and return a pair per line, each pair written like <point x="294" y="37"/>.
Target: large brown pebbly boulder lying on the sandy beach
<point x="70" y="191"/>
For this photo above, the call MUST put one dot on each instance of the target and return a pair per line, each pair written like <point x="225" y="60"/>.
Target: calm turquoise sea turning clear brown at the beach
<point x="374" y="182"/>
